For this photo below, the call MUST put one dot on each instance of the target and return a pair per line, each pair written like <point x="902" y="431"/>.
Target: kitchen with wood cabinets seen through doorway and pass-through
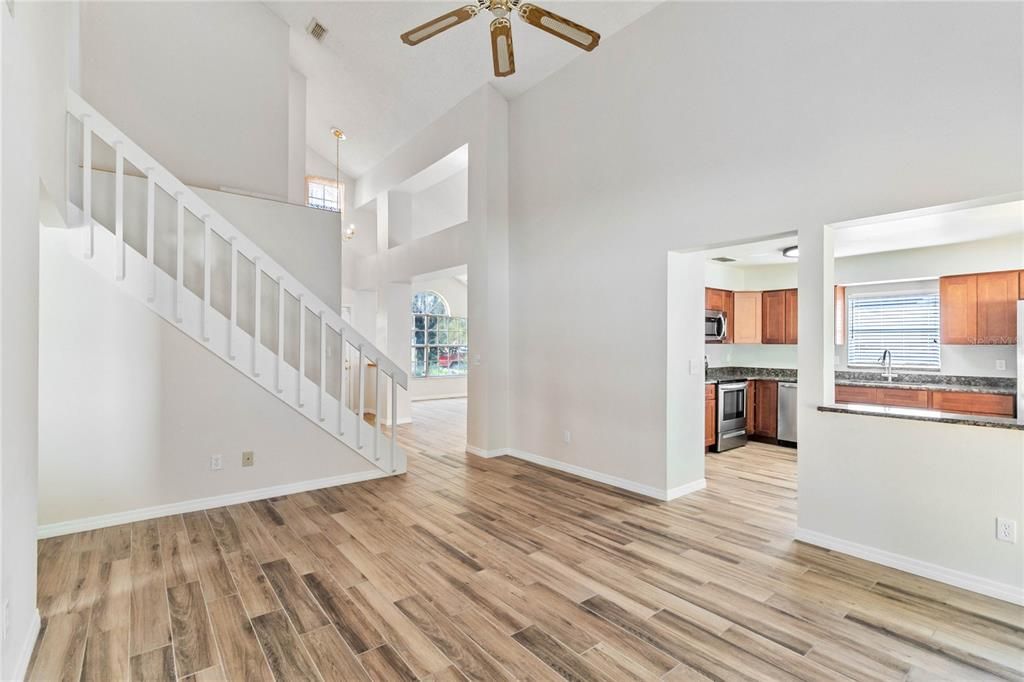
<point x="925" y="328"/>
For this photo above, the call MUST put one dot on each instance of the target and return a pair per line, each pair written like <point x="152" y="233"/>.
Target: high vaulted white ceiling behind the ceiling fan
<point x="381" y="92"/>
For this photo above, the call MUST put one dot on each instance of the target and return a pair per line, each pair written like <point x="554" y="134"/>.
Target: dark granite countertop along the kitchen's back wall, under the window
<point x="931" y="382"/>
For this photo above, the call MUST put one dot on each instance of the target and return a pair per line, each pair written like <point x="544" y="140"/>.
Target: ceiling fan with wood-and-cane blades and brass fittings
<point x="501" y="29"/>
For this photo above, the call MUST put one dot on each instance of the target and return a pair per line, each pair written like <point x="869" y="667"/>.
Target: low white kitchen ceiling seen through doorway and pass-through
<point x="969" y="225"/>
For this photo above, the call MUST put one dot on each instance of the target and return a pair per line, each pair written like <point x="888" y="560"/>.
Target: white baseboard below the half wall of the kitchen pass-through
<point x="1014" y="595"/>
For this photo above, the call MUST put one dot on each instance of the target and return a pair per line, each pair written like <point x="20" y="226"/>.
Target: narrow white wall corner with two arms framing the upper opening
<point x="482" y="122"/>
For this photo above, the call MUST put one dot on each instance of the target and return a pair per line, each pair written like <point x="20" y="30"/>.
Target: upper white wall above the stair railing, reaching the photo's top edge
<point x="203" y="88"/>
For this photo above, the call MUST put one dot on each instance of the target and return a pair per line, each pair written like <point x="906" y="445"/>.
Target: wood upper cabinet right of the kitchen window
<point x="980" y="309"/>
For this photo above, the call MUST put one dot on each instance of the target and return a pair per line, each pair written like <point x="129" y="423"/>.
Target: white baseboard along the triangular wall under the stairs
<point x="117" y="519"/>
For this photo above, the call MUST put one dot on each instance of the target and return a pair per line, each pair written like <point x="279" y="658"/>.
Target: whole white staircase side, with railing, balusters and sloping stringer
<point x="260" y="356"/>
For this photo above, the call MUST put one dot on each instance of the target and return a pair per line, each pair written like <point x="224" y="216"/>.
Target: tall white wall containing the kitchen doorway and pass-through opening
<point x="751" y="120"/>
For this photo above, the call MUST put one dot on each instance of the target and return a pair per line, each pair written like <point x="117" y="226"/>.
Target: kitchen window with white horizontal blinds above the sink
<point x="907" y="325"/>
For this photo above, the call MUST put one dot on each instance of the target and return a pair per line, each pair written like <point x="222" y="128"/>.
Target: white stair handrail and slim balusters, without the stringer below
<point x="217" y="226"/>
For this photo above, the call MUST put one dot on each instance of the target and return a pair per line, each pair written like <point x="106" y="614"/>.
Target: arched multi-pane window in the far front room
<point x="440" y="340"/>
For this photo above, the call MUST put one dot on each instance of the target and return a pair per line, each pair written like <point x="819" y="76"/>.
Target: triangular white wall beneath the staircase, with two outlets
<point x="132" y="410"/>
